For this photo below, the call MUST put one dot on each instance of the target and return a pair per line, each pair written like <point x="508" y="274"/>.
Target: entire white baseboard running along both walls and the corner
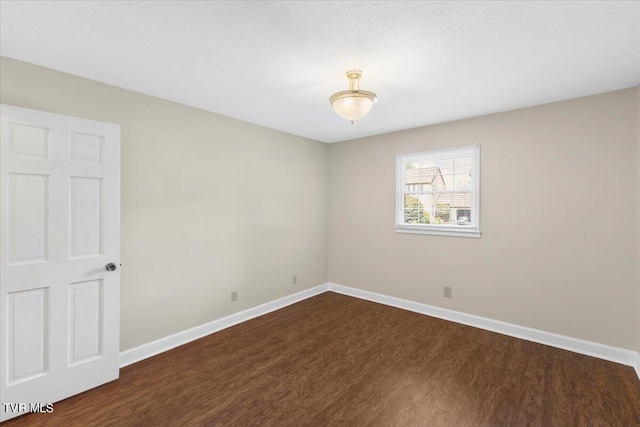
<point x="589" y="348"/>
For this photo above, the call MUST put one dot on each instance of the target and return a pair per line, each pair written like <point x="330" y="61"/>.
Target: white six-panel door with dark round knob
<point x="60" y="228"/>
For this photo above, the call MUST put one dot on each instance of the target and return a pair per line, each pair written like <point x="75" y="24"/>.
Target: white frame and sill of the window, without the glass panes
<point x="444" y="229"/>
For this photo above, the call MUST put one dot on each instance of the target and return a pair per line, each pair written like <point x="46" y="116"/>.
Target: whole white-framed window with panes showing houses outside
<point x="438" y="192"/>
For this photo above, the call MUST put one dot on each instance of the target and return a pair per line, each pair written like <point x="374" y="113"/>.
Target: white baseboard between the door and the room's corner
<point x="144" y="351"/>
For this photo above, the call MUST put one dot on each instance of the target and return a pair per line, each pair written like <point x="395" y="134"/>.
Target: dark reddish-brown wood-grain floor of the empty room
<point x="336" y="360"/>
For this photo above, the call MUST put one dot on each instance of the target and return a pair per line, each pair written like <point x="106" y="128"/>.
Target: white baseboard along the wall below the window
<point x="589" y="348"/>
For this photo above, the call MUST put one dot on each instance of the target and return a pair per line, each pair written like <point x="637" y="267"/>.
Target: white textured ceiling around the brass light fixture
<point x="276" y="63"/>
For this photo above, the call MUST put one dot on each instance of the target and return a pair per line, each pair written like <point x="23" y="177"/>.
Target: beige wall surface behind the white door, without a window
<point x="209" y="204"/>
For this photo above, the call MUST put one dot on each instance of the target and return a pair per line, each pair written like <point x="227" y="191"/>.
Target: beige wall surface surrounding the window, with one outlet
<point x="558" y="194"/>
